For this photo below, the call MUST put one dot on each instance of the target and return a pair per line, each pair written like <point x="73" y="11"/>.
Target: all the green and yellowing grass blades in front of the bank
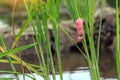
<point x="40" y="13"/>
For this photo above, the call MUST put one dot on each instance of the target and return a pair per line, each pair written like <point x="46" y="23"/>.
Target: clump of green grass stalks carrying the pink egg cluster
<point x="87" y="13"/>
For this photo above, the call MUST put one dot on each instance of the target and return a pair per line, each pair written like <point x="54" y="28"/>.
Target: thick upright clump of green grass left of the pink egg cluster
<point x="43" y="12"/>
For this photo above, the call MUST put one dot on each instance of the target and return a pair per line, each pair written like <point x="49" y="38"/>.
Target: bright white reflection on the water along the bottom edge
<point x="73" y="75"/>
